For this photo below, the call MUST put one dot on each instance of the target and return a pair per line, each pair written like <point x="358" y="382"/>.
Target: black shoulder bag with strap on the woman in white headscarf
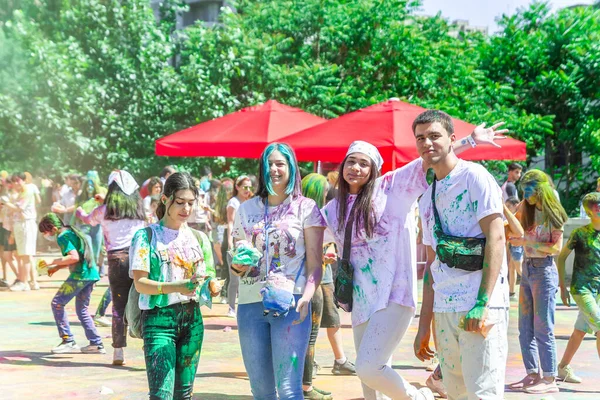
<point x="344" y="278"/>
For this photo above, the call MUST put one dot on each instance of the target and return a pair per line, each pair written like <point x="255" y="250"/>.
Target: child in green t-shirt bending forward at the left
<point x="78" y="257"/>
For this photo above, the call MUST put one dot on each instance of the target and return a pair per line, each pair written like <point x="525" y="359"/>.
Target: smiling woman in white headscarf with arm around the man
<point x="383" y="257"/>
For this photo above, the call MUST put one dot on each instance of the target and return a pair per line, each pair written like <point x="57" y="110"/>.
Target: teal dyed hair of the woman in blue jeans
<point x="265" y="186"/>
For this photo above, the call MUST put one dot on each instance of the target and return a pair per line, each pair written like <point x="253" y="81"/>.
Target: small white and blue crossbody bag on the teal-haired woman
<point x="277" y="291"/>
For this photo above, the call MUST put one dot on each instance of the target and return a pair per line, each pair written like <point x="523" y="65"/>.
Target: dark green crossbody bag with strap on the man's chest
<point x="464" y="253"/>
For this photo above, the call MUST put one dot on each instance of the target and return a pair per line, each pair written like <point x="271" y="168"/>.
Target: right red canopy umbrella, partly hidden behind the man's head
<point x="388" y="126"/>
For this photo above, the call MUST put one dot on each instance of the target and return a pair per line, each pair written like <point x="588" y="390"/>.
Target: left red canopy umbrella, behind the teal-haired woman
<point x="244" y="133"/>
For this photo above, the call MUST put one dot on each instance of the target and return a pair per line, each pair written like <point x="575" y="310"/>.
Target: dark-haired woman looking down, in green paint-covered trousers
<point x="169" y="261"/>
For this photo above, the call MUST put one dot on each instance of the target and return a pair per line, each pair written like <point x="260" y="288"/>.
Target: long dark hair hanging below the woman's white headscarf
<point x="363" y="208"/>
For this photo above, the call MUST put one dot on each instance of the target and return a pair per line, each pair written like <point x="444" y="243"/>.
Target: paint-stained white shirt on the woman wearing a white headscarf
<point x="385" y="264"/>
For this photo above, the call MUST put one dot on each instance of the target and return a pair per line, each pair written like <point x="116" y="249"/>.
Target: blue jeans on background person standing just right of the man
<point x="537" y="302"/>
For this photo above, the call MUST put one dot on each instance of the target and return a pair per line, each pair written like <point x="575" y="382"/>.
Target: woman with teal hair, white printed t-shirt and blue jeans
<point x="274" y="295"/>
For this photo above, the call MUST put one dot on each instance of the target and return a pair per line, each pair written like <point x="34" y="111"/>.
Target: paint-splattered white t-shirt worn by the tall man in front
<point x="467" y="195"/>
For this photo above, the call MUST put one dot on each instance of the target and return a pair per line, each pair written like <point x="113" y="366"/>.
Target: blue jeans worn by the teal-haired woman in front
<point x="273" y="350"/>
